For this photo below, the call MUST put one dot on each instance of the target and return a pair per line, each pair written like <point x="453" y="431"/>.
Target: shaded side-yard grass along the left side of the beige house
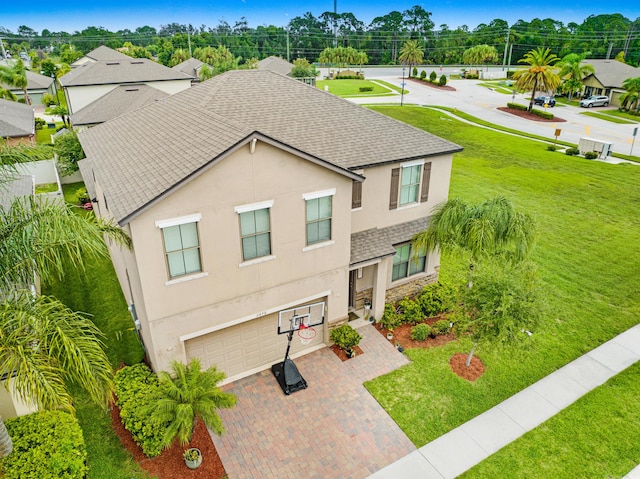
<point x="97" y="291"/>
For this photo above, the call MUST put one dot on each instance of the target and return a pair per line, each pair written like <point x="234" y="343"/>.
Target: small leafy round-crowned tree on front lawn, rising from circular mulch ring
<point x="502" y="307"/>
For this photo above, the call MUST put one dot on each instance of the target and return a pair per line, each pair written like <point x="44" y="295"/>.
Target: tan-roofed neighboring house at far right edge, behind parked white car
<point x="608" y="79"/>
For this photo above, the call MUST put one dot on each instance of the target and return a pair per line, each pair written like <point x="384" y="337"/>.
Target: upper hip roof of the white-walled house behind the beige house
<point x="131" y="70"/>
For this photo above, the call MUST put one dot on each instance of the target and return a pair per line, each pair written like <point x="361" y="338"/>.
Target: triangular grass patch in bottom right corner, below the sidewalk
<point x="597" y="436"/>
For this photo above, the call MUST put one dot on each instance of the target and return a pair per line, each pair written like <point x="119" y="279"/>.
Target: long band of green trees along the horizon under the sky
<point x="306" y="36"/>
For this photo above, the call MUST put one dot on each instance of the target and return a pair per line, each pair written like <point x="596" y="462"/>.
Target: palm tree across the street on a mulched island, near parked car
<point x="539" y="75"/>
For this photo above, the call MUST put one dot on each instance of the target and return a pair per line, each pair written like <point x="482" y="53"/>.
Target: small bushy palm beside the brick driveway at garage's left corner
<point x="188" y="394"/>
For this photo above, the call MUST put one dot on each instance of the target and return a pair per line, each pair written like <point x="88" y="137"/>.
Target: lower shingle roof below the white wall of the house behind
<point x="118" y="101"/>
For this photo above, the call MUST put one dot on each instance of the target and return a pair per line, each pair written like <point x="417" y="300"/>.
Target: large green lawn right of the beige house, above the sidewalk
<point x="587" y="256"/>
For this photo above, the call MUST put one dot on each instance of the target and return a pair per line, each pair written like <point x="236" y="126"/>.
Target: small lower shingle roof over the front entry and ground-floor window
<point x="378" y="243"/>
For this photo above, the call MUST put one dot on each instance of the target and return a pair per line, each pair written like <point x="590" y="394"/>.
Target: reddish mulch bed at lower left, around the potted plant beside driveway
<point x="170" y="464"/>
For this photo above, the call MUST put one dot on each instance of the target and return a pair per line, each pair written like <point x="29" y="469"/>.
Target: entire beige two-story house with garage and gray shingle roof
<point x="253" y="193"/>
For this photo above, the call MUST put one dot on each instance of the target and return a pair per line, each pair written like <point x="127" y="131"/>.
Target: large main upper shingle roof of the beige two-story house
<point x="140" y="155"/>
